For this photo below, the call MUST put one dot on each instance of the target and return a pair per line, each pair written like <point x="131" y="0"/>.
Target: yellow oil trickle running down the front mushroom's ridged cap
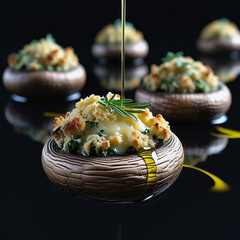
<point x="150" y="158"/>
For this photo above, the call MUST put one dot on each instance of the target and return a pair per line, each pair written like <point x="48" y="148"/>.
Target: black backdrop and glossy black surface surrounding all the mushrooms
<point x="31" y="207"/>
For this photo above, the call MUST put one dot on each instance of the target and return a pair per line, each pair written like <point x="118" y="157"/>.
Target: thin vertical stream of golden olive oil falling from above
<point x="123" y="17"/>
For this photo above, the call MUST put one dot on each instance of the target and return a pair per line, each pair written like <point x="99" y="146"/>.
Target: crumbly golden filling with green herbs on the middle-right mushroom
<point x="178" y="74"/>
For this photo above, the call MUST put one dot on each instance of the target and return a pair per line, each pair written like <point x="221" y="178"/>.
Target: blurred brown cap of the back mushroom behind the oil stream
<point x="132" y="50"/>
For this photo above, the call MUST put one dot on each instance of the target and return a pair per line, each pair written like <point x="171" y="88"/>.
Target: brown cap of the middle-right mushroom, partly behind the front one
<point x="187" y="107"/>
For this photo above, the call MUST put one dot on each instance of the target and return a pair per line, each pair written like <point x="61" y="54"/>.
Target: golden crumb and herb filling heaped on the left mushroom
<point x="44" y="55"/>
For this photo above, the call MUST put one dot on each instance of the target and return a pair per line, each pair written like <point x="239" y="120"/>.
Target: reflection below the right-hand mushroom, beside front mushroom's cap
<point x="197" y="142"/>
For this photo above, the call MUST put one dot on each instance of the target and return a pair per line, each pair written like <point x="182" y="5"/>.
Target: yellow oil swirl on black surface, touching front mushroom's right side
<point x="219" y="184"/>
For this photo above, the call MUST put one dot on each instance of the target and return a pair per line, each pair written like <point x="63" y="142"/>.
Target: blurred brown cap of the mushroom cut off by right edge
<point x="216" y="46"/>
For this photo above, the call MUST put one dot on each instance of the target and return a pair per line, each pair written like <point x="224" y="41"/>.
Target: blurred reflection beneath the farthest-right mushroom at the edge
<point x="227" y="70"/>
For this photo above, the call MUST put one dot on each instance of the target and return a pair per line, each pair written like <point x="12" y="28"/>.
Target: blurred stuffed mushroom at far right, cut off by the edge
<point x="219" y="37"/>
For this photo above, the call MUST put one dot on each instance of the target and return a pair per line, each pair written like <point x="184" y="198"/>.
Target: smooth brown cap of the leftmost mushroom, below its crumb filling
<point x="44" y="84"/>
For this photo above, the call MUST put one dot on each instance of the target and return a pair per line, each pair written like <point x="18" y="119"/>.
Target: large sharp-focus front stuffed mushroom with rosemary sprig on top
<point x="103" y="150"/>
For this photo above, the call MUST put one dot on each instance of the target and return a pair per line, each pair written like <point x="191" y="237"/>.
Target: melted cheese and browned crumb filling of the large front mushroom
<point x="93" y="130"/>
